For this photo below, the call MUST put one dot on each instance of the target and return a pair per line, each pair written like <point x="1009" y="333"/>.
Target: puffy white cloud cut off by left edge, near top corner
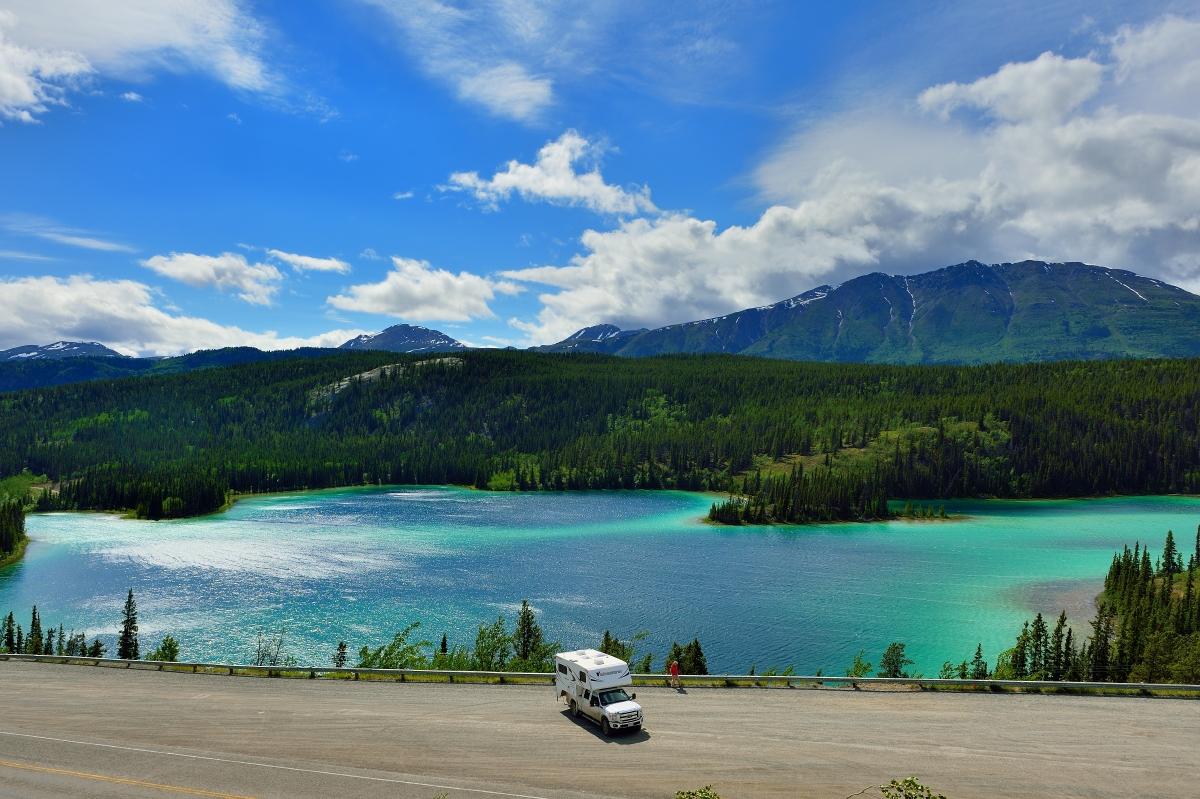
<point x="33" y="80"/>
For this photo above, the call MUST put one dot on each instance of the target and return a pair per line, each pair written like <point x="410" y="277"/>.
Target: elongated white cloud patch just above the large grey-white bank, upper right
<point x="1048" y="88"/>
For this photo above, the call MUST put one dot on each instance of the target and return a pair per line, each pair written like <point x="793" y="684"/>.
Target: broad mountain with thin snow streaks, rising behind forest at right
<point x="968" y="314"/>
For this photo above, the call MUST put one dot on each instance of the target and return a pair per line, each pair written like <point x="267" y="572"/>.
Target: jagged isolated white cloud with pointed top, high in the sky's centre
<point x="554" y="179"/>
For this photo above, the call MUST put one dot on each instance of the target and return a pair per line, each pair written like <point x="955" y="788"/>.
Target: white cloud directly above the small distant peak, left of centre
<point x="418" y="292"/>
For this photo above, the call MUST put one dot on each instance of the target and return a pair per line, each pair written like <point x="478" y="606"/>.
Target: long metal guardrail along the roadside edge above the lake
<point x="706" y="681"/>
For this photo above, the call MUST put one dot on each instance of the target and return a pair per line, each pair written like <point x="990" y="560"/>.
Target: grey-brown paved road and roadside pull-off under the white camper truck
<point x="73" y="731"/>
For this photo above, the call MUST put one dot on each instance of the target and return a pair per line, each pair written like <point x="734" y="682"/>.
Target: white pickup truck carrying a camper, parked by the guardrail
<point x="595" y="687"/>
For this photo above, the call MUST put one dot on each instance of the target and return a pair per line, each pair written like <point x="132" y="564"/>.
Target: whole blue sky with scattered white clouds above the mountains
<point x="181" y="175"/>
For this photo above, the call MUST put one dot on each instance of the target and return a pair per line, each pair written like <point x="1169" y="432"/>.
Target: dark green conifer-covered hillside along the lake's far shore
<point x="805" y="441"/>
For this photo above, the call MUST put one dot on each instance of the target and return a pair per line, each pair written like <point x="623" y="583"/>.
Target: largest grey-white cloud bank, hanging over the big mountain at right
<point x="1066" y="163"/>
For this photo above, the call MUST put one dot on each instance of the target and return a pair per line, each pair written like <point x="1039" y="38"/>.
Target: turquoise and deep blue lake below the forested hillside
<point x="358" y="564"/>
